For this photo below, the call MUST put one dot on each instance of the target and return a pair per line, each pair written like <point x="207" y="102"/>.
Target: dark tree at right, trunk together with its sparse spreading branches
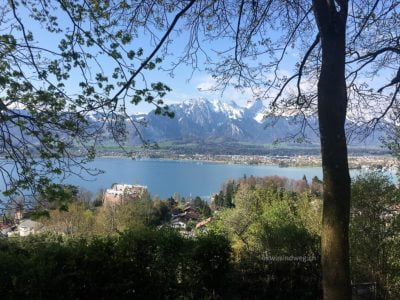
<point x="342" y="49"/>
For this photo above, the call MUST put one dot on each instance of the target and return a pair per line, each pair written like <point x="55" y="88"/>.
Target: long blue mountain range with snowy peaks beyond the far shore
<point x="202" y="119"/>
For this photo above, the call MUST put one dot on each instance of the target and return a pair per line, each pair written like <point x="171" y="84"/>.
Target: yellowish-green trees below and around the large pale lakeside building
<point x="75" y="214"/>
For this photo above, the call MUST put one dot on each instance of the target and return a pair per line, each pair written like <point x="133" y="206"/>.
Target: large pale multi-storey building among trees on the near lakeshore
<point x="120" y="193"/>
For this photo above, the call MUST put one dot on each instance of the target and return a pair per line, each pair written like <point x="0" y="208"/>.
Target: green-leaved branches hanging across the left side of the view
<point x="60" y="63"/>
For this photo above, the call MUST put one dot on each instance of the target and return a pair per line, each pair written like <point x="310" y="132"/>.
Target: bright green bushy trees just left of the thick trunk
<point x="268" y="219"/>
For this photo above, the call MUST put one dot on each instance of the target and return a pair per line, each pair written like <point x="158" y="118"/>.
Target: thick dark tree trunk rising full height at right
<point x="332" y="105"/>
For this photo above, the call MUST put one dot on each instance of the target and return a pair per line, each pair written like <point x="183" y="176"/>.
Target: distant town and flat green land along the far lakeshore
<point x="283" y="155"/>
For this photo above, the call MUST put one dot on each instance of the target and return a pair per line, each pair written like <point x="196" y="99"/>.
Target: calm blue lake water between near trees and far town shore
<point x="164" y="178"/>
